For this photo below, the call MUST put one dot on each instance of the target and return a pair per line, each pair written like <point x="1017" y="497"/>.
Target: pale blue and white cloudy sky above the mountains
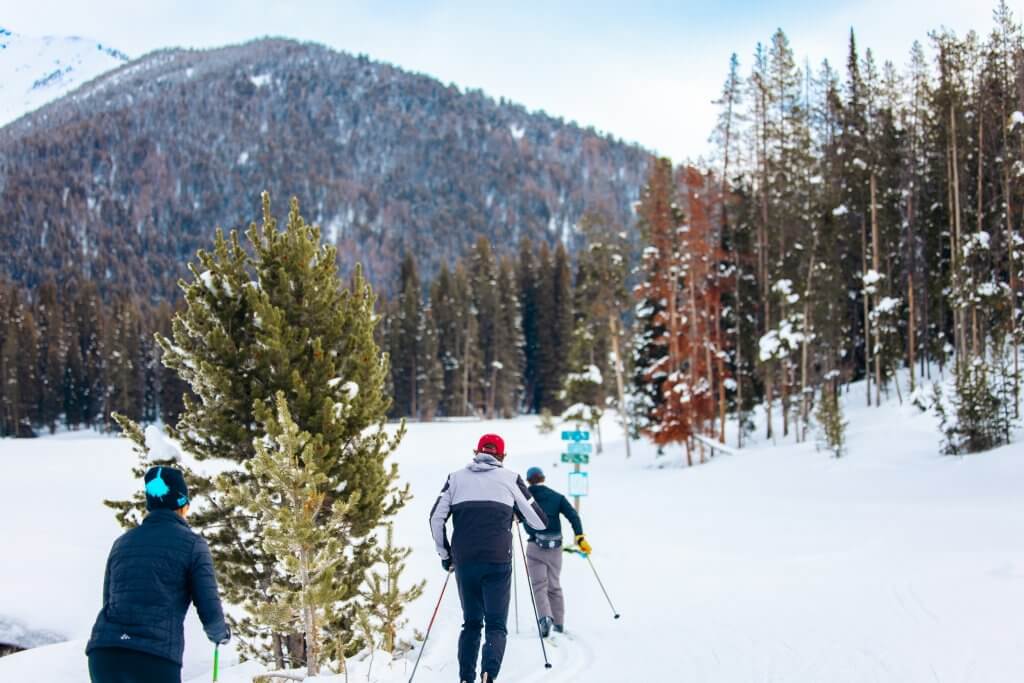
<point x="644" y="71"/>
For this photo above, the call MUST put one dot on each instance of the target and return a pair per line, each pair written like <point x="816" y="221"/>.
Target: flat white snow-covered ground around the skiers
<point x="778" y="565"/>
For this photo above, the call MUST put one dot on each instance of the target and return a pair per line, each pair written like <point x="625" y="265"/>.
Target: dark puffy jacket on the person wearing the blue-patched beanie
<point x="154" y="573"/>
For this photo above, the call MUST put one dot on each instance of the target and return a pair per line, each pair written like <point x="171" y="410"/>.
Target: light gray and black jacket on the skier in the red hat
<point x="481" y="500"/>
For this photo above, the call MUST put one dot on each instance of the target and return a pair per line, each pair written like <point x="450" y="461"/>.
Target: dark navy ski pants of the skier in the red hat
<point x="485" y="589"/>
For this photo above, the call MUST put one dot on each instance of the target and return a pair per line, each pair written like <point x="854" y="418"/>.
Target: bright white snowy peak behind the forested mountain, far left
<point x="37" y="70"/>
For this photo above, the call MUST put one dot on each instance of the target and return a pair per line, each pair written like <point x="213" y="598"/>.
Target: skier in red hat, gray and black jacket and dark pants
<point x="481" y="499"/>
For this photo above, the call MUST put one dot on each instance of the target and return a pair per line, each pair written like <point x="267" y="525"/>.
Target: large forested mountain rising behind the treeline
<point x="126" y="177"/>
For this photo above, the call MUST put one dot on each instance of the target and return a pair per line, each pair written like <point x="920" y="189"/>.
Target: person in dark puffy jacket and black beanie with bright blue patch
<point x="154" y="573"/>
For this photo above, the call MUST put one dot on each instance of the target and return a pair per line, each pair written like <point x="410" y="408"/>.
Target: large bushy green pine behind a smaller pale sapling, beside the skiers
<point x="259" y="321"/>
